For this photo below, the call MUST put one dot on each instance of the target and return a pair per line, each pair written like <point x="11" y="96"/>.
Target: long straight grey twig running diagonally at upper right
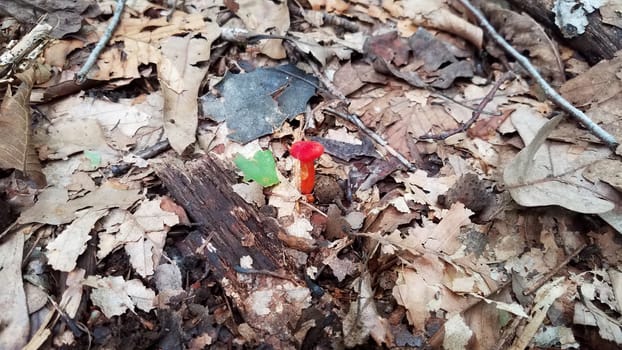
<point x="550" y="92"/>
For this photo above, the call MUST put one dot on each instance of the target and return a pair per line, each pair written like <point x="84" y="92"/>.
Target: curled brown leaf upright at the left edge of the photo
<point x="16" y="149"/>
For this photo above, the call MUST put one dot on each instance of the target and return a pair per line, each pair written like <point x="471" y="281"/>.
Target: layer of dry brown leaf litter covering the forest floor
<point x="498" y="229"/>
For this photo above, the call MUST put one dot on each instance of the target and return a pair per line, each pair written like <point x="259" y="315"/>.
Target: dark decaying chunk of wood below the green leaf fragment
<point x="269" y="295"/>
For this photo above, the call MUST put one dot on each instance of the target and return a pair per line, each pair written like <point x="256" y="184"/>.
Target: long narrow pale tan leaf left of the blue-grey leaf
<point x="181" y="71"/>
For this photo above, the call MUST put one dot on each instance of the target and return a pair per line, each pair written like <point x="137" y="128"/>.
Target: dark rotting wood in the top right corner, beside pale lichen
<point x="600" y="41"/>
